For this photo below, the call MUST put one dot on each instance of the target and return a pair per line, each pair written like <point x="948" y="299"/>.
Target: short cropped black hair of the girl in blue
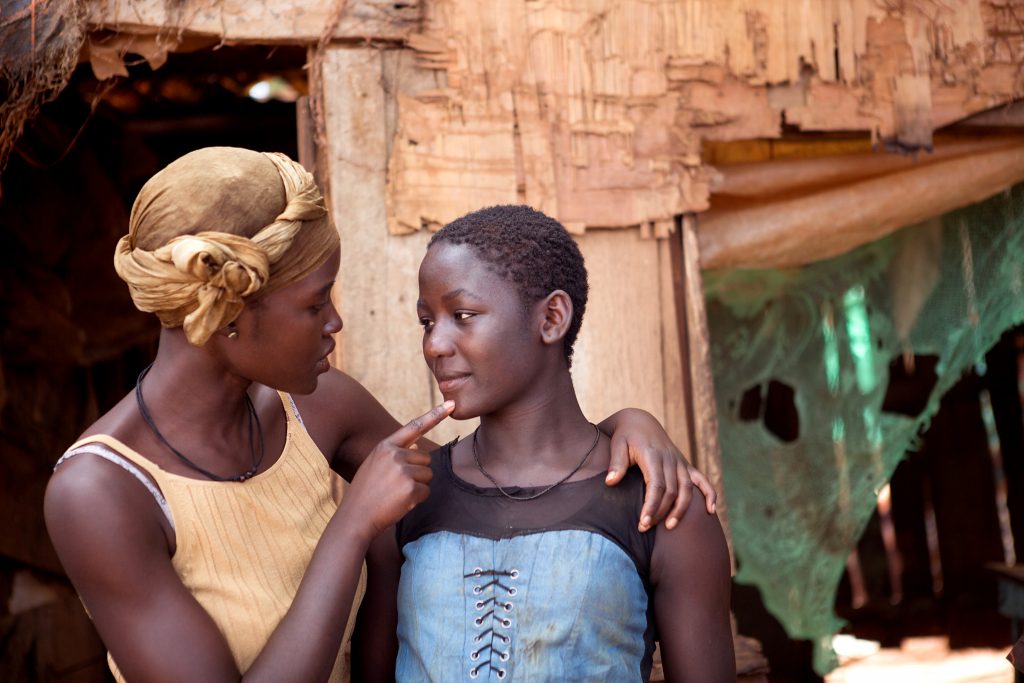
<point x="531" y="250"/>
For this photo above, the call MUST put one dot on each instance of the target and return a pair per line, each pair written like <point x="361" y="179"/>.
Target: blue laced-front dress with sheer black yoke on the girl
<point x="550" y="589"/>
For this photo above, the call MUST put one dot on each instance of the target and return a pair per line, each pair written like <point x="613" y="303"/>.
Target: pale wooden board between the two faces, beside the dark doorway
<point x="377" y="281"/>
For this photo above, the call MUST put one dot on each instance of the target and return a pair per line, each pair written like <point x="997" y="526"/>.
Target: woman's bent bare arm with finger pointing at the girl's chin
<point x="107" y="531"/>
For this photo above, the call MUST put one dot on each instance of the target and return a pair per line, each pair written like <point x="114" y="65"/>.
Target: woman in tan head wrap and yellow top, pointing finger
<point x="196" y="519"/>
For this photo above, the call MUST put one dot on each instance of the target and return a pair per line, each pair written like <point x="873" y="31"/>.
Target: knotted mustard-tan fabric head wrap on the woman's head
<point x="215" y="229"/>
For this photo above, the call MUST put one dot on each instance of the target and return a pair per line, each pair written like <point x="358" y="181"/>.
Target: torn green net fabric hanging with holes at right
<point x="798" y="503"/>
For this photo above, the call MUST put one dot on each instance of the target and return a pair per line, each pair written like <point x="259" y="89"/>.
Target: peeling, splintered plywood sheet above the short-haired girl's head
<point x="596" y="112"/>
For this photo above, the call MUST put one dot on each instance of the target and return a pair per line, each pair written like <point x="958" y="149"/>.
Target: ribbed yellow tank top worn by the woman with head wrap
<point x="243" y="547"/>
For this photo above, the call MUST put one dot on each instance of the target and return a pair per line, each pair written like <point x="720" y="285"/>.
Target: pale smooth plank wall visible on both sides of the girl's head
<point x="628" y="352"/>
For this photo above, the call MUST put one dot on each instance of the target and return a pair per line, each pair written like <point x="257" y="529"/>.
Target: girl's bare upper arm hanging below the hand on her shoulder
<point x="691" y="579"/>
